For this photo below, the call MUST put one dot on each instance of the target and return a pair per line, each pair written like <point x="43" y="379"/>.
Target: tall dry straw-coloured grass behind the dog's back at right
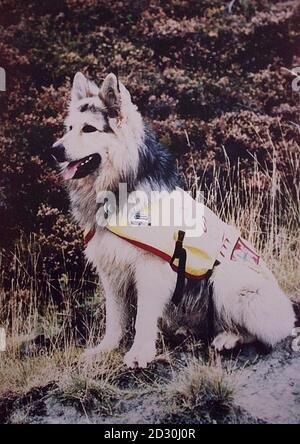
<point x="266" y="209"/>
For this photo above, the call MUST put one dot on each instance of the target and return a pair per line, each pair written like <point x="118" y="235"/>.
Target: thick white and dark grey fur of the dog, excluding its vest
<point x="247" y="306"/>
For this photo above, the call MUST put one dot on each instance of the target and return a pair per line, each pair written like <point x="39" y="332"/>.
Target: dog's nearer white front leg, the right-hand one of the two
<point x="155" y="281"/>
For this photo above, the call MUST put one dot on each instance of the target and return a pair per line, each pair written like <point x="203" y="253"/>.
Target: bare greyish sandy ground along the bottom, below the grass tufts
<point x="268" y="391"/>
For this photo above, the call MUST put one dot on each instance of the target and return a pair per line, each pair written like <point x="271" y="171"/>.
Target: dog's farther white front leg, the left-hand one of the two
<point x="115" y="317"/>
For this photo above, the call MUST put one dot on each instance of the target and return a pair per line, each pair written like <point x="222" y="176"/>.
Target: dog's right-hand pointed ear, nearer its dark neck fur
<point x="110" y="94"/>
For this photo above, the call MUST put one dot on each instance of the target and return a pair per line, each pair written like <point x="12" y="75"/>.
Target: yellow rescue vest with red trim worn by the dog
<point x="208" y="242"/>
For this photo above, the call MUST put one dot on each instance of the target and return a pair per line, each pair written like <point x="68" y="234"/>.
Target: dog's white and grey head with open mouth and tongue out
<point x="103" y="132"/>
